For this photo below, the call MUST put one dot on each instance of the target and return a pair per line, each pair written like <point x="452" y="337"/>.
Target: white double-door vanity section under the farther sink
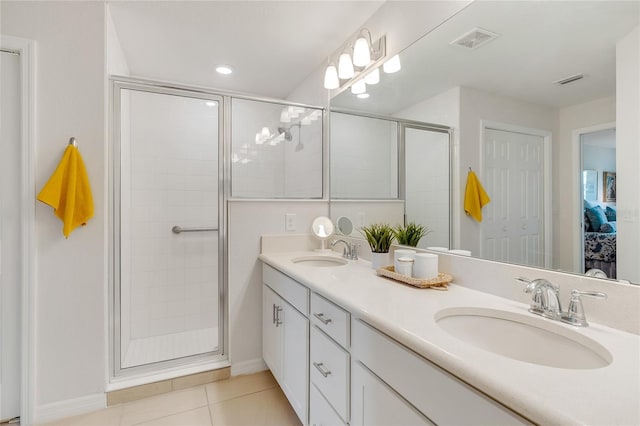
<point x="285" y="336"/>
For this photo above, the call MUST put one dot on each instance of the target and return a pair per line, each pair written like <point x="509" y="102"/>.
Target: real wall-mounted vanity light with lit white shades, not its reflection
<point x="358" y="56"/>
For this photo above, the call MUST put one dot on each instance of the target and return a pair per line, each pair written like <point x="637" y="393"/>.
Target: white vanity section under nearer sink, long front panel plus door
<point x="436" y="394"/>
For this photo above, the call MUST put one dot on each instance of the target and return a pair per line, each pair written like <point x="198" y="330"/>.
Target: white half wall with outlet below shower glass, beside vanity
<point x="247" y="222"/>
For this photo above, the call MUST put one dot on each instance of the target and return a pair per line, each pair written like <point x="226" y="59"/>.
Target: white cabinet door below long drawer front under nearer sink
<point x="374" y="403"/>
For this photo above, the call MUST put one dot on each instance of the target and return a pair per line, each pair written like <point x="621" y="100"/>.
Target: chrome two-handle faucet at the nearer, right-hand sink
<point x="545" y="301"/>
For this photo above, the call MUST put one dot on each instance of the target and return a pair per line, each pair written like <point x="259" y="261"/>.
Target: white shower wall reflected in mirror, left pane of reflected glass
<point x="363" y="158"/>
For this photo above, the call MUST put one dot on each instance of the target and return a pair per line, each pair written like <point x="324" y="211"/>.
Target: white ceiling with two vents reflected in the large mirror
<point x="540" y="42"/>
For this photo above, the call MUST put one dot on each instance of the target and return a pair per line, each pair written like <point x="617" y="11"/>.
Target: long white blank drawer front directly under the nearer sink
<point x="433" y="391"/>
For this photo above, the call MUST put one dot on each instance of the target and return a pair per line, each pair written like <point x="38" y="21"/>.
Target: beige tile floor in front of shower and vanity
<point x="251" y="400"/>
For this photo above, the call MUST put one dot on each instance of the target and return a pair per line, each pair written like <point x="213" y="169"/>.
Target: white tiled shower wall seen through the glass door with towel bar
<point x="173" y="181"/>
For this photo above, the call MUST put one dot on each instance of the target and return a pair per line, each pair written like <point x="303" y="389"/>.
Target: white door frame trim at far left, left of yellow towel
<point x="26" y="49"/>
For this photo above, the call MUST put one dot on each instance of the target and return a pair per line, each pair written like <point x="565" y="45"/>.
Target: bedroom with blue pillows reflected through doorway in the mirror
<point x="598" y="181"/>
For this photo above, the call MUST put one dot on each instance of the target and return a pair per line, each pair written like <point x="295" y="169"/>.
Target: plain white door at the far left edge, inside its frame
<point x="10" y="236"/>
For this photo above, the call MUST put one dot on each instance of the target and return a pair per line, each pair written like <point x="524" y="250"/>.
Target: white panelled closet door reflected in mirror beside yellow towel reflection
<point x="513" y="222"/>
